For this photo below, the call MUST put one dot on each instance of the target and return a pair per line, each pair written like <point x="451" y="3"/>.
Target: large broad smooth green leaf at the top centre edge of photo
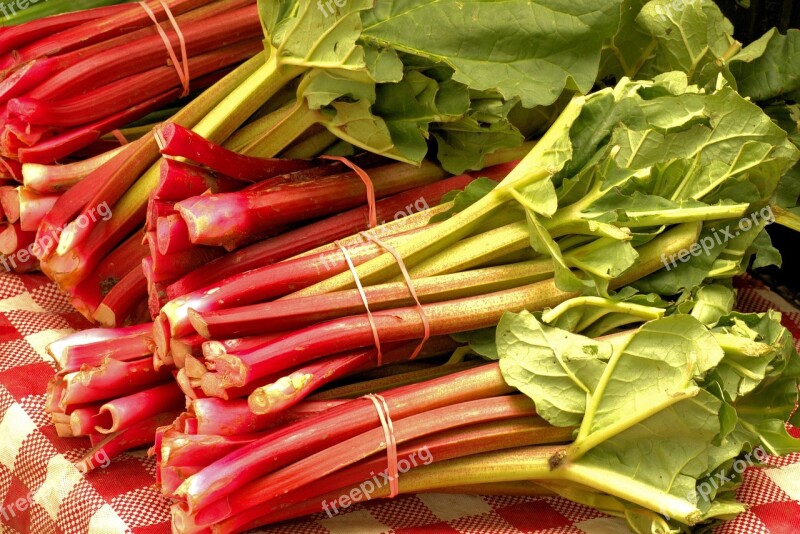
<point x="496" y="45"/>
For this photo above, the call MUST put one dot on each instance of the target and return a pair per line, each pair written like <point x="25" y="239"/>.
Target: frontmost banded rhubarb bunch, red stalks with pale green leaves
<point x="635" y="424"/>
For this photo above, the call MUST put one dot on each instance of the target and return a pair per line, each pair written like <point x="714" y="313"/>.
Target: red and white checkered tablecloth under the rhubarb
<point x="41" y="492"/>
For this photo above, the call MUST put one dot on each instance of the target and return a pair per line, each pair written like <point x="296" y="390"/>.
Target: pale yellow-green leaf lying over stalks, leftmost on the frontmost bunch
<point x="553" y="367"/>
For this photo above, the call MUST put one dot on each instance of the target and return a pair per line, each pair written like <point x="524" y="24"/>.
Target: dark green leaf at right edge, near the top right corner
<point x="769" y="67"/>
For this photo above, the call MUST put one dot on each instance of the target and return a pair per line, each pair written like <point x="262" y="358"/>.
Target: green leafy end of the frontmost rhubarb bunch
<point x="650" y="436"/>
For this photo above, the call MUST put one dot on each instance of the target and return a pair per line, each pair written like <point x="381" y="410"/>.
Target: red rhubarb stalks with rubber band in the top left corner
<point x="62" y="90"/>
